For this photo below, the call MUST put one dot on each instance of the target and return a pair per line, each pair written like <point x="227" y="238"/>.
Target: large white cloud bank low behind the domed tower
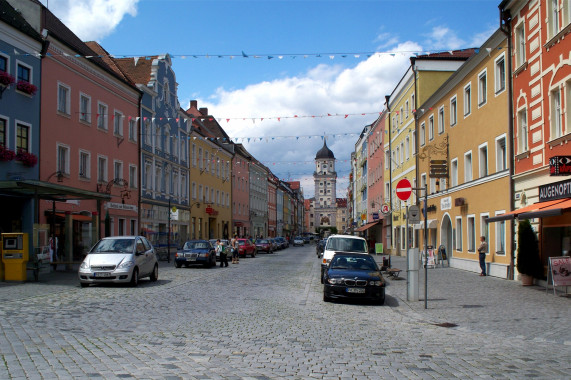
<point x="288" y="146"/>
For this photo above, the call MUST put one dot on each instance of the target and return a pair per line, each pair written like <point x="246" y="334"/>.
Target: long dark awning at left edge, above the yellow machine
<point x="47" y="190"/>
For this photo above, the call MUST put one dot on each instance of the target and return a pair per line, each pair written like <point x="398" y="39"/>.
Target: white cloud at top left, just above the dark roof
<point x="92" y="19"/>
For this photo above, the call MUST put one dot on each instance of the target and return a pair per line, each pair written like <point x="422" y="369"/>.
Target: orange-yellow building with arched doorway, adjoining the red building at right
<point x="464" y="125"/>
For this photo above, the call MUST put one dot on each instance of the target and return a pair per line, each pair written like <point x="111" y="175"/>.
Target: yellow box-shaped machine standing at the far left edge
<point x="15" y="255"/>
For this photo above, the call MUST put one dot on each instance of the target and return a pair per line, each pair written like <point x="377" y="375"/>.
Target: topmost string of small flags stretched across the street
<point x="266" y="56"/>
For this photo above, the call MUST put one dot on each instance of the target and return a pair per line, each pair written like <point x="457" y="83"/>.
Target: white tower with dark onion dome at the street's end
<point x="325" y="178"/>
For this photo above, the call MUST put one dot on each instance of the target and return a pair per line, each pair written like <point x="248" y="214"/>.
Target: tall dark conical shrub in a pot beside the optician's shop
<point x="528" y="262"/>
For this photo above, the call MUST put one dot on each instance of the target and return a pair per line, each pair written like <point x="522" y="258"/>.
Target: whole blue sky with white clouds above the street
<point x="280" y="76"/>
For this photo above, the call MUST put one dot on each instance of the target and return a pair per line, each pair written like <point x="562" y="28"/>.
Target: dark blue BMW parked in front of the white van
<point x="353" y="275"/>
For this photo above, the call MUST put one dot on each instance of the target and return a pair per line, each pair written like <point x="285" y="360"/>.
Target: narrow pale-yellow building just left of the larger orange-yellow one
<point x="424" y="76"/>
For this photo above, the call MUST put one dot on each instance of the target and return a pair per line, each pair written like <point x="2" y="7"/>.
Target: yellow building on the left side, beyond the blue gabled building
<point x="210" y="184"/>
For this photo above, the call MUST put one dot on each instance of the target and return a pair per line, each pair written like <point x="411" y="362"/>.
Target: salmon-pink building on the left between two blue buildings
<point x="89" y="143"/>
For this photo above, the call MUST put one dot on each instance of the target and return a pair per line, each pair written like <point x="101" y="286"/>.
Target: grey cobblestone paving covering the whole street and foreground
<point x="265" y="319"/>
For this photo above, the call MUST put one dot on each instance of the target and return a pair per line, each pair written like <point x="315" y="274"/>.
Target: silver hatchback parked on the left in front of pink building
<point x="119" y="259"/>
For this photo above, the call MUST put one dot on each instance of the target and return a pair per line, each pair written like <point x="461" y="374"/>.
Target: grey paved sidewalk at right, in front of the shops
<point x="487" y="304"/>
